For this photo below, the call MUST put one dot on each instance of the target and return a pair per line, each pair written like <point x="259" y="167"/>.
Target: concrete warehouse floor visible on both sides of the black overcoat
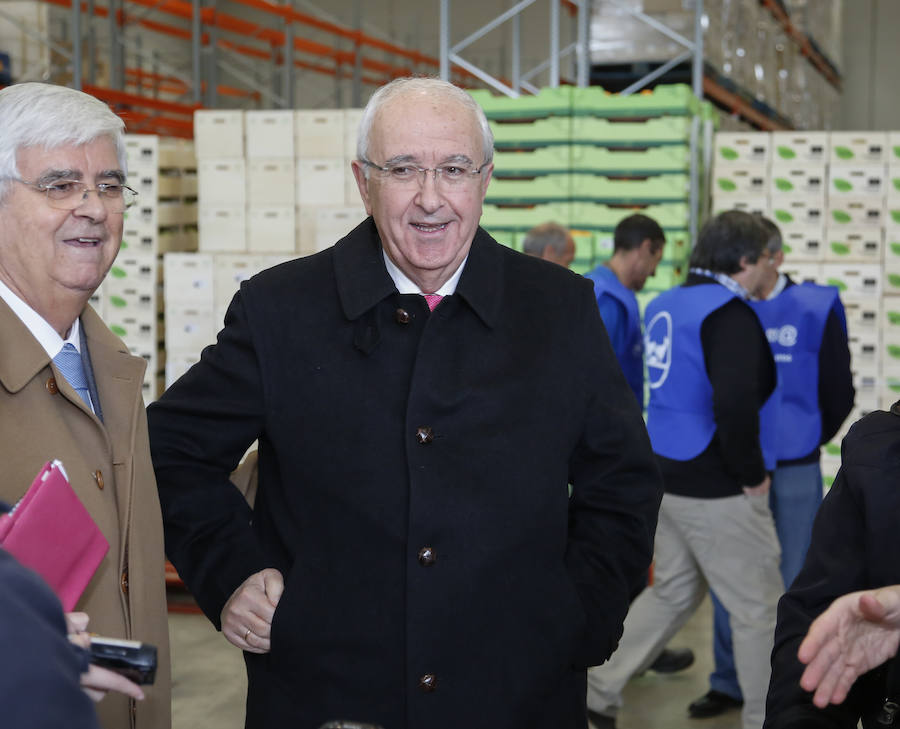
<point x="209" y="684"/>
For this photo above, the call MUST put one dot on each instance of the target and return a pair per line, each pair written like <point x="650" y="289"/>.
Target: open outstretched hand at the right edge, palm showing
<point x="858" y="632"/>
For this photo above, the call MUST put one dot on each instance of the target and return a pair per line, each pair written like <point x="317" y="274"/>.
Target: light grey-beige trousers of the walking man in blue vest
<point x="728" y="544"/>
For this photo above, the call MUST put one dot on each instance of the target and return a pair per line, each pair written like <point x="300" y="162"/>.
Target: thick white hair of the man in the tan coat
<point x="48" y="116"/>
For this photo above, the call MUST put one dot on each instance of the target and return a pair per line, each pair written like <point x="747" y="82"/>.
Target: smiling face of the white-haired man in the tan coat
<point x="55" y="259"/>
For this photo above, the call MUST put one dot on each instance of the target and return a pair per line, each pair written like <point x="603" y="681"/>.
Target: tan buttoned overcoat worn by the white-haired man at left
<point x="108" y="464"/>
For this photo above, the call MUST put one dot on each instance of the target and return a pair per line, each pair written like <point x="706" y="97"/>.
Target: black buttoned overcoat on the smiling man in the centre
<point x="413" y="473"/>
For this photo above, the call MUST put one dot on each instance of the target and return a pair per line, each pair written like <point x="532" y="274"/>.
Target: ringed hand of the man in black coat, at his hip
<point x="252" y="607"/>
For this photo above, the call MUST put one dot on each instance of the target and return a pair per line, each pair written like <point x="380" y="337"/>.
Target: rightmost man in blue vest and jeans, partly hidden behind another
<point x="807" y="330"/>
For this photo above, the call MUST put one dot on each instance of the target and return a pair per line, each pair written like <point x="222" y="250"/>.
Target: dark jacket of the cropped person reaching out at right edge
<point x="854" y="546"/>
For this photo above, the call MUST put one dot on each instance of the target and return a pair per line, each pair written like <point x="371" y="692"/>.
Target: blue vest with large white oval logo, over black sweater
<point x="680" y="412"/>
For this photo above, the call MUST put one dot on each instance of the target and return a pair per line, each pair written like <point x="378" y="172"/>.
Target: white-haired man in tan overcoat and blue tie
<point x="62" y="201"/>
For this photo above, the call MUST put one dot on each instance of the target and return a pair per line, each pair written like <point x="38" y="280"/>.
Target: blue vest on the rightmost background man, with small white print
<point x="795" y="323"/>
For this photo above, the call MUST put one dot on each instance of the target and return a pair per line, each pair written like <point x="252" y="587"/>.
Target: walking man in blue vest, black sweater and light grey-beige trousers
<point x="711" y="375"/>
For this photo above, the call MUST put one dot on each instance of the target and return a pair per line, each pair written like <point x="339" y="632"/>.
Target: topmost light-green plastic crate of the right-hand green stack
<point x="662" y="100"/>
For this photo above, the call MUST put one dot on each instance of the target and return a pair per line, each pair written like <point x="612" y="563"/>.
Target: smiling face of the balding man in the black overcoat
<point x="425" y="231"/>
